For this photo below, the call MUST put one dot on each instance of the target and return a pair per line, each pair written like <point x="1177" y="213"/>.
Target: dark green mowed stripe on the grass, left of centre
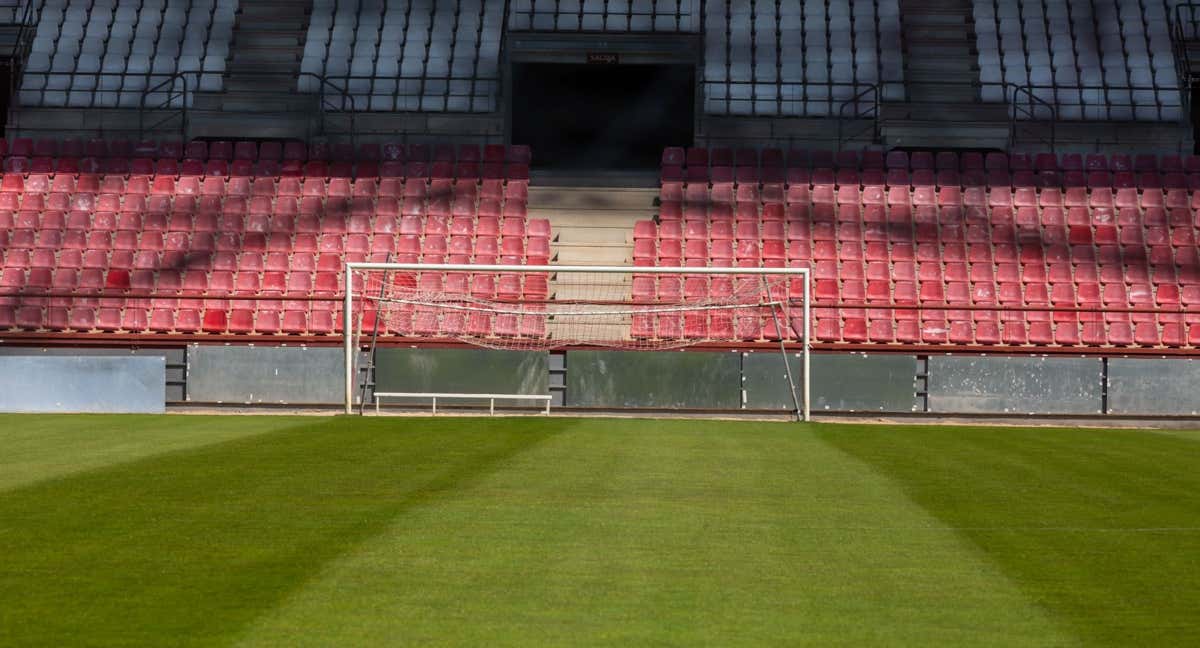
<point x="189" y="548"/>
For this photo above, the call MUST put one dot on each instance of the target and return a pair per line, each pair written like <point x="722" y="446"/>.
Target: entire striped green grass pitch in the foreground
<point x="188" y="531"/>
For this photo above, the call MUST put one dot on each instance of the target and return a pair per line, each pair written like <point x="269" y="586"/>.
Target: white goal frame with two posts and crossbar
<point x="349" y="314"/>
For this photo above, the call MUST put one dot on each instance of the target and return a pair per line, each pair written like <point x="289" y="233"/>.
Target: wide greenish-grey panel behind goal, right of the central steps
<point x="662" y="380"/>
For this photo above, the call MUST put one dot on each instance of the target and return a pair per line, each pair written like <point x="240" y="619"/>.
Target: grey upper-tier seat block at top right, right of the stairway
<point x="1102" y="61"/>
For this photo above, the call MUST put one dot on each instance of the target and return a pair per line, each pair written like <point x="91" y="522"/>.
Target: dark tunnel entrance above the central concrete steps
<point x="602" y="117"/>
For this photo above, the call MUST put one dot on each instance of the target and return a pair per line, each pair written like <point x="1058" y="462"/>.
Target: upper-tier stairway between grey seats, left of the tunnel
<point x="261" y="75"/>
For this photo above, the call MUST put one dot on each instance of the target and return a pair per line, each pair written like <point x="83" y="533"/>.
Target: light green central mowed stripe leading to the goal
<point x="679" y="533"/>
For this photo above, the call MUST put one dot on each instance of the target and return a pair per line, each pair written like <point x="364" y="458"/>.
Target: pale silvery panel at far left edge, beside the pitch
<point x="97" y="385"/>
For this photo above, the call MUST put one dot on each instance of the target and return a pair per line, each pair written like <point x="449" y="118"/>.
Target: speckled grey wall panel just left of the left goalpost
<point x="266" y="375"/>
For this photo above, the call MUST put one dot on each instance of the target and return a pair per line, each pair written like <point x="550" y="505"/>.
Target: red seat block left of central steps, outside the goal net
<point x="209" y="245"/>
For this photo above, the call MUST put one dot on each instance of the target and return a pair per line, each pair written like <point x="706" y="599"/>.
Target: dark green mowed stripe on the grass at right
<point x="1102" y="529"/>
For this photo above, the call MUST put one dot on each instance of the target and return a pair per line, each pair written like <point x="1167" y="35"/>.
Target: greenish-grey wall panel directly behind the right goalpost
<point x="853" y="382"/>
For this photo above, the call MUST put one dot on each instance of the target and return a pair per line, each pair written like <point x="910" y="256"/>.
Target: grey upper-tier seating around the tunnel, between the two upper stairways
<point x="796" y="59"/>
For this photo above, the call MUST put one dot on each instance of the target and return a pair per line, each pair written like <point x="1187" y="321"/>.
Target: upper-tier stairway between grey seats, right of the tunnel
<point x="941" y="77"/>
